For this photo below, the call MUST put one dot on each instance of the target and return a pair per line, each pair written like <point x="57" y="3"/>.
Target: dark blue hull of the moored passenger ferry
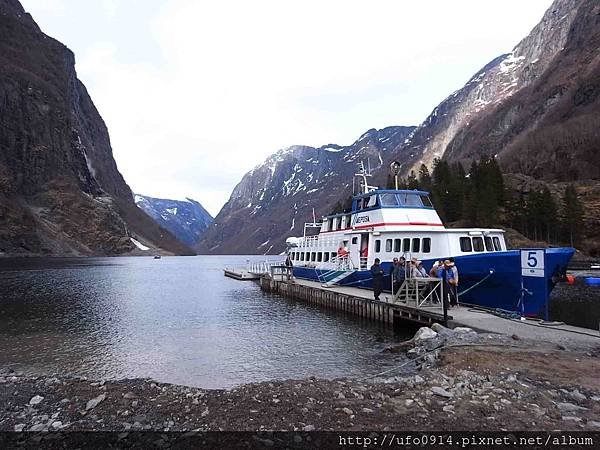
<point x="492" y="280"/>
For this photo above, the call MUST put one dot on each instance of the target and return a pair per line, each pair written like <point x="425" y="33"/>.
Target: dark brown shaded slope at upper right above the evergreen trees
<point x="550" y="129"/>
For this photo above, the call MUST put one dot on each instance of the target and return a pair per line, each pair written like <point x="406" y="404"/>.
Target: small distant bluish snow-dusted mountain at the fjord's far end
<point x="186" y="220"/>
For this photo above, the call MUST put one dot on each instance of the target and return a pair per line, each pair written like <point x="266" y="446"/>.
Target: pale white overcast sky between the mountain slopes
<point x="197" y="93"/>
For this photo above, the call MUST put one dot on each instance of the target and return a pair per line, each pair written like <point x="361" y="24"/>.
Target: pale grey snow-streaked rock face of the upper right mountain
<point x="491" y="87"/>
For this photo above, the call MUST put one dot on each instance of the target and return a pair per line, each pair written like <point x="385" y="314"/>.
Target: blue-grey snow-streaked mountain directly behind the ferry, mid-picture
<point x="276" y="198"/>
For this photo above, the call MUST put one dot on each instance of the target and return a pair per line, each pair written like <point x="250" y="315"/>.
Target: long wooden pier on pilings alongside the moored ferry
<point x="355" y="301"/>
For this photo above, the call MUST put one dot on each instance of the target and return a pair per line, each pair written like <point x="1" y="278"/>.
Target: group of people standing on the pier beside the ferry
<point x="400" y="270"/>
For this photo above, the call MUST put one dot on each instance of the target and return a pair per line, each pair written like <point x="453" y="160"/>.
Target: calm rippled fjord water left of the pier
<point x="176" y="320"/>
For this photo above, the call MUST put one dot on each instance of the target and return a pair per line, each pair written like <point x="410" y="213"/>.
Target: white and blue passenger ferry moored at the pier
<point x="387" y="223"/>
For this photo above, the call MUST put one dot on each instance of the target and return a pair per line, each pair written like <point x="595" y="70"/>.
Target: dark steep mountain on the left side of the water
<point x="60" y="190"/>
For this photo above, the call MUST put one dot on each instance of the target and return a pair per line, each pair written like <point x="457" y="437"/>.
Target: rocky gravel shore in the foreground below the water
<point x="465" y="380"/>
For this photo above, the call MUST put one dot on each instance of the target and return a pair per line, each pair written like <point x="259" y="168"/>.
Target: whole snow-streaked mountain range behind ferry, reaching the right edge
<point x="535" y="108"/>
